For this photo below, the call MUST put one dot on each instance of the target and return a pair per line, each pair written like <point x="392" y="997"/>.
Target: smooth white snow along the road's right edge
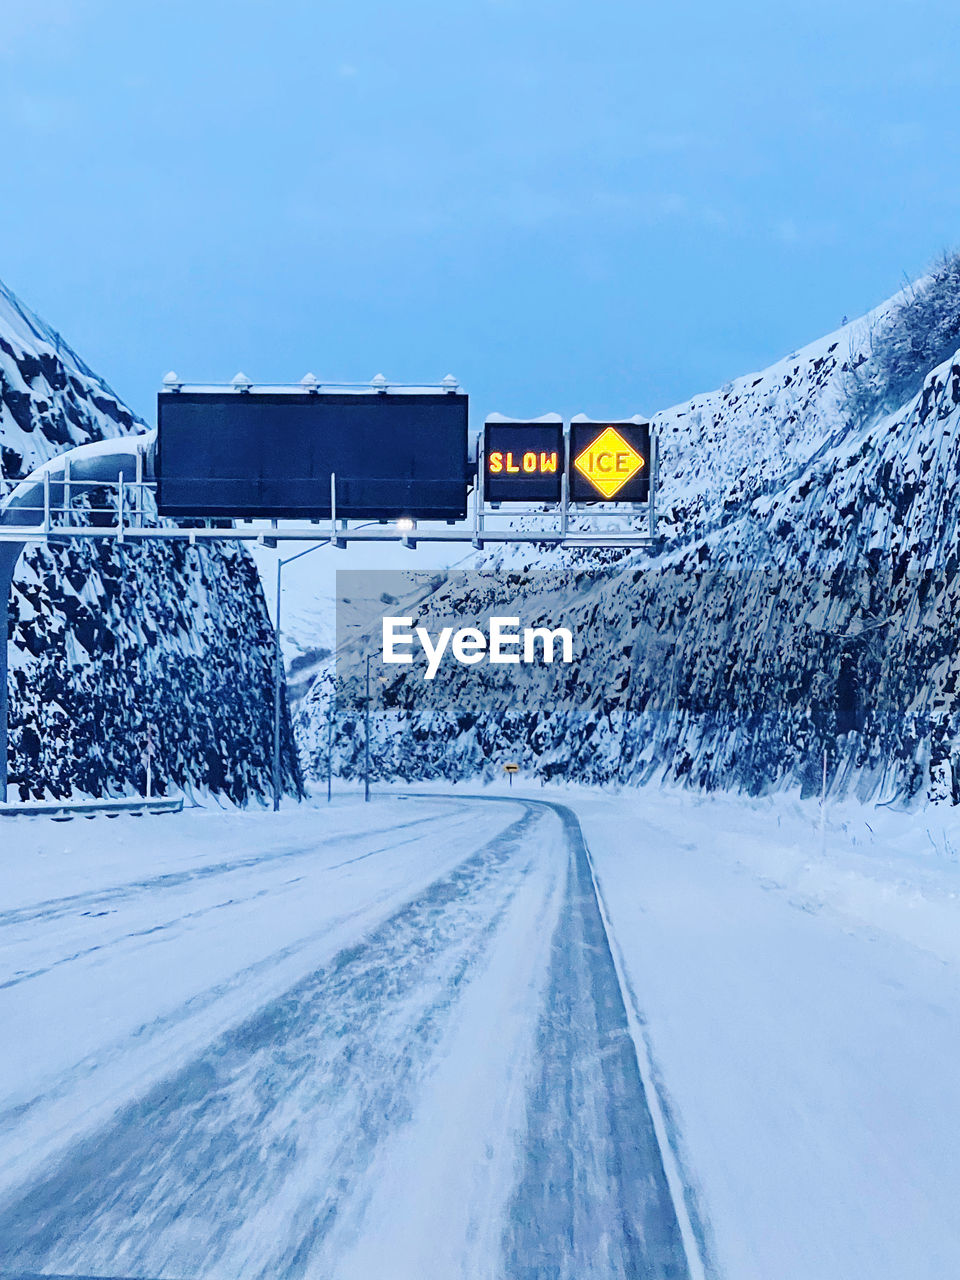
<point x="803" y="1011"/>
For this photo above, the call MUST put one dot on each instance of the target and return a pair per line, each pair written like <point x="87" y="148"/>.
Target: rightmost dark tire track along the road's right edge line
<point x="593" y="1201"/>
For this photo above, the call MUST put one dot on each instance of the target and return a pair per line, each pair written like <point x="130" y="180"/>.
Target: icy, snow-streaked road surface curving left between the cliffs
<point x="399" y="1049"/>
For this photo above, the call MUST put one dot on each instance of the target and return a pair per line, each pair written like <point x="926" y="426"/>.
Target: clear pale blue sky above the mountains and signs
<point x="572" y="207"/>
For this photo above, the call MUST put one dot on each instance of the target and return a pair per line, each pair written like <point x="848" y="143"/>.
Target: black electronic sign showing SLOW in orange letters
<point x="523" y="461"/>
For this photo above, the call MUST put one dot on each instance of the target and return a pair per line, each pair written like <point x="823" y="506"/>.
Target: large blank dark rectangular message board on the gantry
<point x="272" y="455"/>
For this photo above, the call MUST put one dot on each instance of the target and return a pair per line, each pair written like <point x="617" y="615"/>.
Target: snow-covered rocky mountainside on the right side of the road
<point x="799" y="619"/>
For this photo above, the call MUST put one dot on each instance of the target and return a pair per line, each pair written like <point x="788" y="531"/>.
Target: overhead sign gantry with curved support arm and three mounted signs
<point x="226" y="459"/>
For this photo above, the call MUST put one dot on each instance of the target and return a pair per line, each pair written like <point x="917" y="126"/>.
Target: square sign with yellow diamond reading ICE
<point x="610" y="461"/>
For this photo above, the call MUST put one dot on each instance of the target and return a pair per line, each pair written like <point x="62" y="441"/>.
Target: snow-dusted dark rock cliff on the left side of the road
<point x="111" y="642"/>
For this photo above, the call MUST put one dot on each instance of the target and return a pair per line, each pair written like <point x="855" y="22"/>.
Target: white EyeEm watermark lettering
<point x="502" y="643"/>
